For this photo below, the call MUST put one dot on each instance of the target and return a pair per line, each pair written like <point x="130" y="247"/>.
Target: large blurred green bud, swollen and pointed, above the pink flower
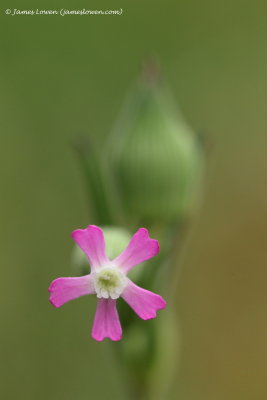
<point x="154" y="158"/>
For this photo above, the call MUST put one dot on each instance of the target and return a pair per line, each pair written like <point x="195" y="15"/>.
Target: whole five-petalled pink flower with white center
<point x="109" y="281"/>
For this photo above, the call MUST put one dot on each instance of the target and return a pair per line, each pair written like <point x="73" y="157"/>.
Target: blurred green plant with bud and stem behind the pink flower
<point x="149" y="174"/>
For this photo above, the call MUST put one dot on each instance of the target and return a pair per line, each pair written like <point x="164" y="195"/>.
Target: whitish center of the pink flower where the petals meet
<point x="109" y="282"/>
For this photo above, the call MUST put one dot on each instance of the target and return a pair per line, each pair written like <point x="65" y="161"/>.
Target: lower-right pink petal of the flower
<point x="143" y="302"/>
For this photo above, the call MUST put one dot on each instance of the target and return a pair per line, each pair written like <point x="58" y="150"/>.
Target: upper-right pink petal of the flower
<point x="140" y="249"/>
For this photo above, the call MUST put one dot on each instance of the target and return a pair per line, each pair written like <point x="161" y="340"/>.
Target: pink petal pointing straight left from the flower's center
<point x="65" y="289"/>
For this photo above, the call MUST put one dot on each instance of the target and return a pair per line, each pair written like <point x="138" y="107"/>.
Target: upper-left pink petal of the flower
<point x="91" y="241"/>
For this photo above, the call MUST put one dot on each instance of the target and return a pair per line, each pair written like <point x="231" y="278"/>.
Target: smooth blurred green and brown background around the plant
<point x="67" y="76"/>
